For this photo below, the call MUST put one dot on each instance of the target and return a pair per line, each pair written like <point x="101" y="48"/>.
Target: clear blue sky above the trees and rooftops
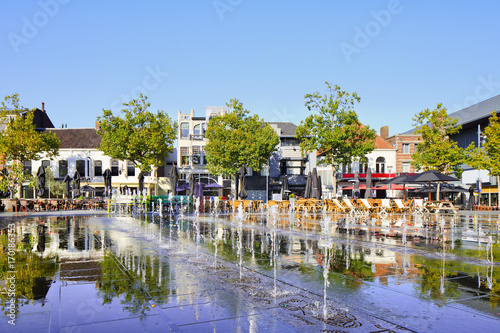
<point x="399" y="56"/>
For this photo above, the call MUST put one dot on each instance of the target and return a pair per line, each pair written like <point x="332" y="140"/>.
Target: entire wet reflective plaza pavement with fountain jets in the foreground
<point x="93" y="273"/>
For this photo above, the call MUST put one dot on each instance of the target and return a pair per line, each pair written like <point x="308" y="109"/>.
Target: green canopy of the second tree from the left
<point x="141" y="136"/>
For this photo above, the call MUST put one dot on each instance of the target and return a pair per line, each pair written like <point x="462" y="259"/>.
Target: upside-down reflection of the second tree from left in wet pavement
<point x="145" y="281"/>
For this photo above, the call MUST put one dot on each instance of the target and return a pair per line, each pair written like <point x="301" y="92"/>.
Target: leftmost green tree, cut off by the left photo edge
<point x="21" y="142"/>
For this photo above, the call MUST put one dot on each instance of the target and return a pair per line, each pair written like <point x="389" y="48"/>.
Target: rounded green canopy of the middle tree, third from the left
<point x="236" y="139"/>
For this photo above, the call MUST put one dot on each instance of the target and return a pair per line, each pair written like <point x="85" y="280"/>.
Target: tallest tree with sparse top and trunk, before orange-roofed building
<point x="334" y="130"/>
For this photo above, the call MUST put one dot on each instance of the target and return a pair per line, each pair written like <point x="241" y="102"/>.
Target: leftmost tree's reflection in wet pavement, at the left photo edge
<point x="33" y="273"/>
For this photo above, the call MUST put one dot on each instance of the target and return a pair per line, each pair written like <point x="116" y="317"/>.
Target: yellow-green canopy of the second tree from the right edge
<point x="437" y="151"/>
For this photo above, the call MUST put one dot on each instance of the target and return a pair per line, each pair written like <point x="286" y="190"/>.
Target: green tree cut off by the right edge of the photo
<point x="488" y="157"/>
